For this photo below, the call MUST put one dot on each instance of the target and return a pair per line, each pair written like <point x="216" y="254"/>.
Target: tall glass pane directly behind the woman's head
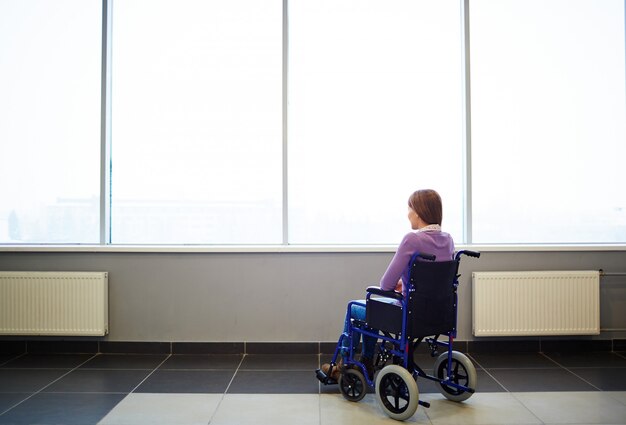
<point x="375" y="112"/>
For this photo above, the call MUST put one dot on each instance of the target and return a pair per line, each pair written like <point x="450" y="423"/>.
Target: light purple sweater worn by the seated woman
<point x="437" y="243"/>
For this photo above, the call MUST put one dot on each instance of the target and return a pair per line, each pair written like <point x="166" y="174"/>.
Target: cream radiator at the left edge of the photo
<point x="54" y="303"/>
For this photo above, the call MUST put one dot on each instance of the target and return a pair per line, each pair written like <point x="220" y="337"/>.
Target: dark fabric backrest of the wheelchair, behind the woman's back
<point x="432" y="297"/>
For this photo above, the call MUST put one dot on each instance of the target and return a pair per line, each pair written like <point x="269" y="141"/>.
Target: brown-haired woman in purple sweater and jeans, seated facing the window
<point x="425" y="213"/>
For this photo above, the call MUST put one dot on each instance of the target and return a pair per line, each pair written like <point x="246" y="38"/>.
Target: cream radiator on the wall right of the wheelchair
<point x="536" y="303"/>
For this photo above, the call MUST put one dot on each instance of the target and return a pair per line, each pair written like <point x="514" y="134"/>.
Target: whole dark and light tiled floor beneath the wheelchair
<point x="115" y="389"/>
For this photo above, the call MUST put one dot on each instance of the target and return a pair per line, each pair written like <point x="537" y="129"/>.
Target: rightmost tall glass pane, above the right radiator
<point x="548" y="121"/>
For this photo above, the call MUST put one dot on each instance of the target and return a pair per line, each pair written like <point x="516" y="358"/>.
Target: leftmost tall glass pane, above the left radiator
<point x="50" y="57"/>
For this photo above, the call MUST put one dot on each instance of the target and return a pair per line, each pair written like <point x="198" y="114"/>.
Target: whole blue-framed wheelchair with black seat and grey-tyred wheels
<point x="400" y="324"/>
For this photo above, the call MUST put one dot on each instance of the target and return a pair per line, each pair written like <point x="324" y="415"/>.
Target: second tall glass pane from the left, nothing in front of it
<point x="197" y="122"/>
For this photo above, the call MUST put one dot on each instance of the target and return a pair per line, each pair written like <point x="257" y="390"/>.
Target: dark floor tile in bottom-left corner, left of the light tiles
<point x="66" y="409"/>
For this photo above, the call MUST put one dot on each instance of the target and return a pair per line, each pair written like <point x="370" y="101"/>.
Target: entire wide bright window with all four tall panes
<point x="229" y="124"/>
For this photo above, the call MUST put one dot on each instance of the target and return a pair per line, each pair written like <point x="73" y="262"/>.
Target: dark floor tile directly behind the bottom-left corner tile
<point x="99" y="381"/>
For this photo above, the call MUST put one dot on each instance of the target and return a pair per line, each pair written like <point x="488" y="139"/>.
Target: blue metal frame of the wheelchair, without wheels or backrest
<point x="400" y="348"/>
